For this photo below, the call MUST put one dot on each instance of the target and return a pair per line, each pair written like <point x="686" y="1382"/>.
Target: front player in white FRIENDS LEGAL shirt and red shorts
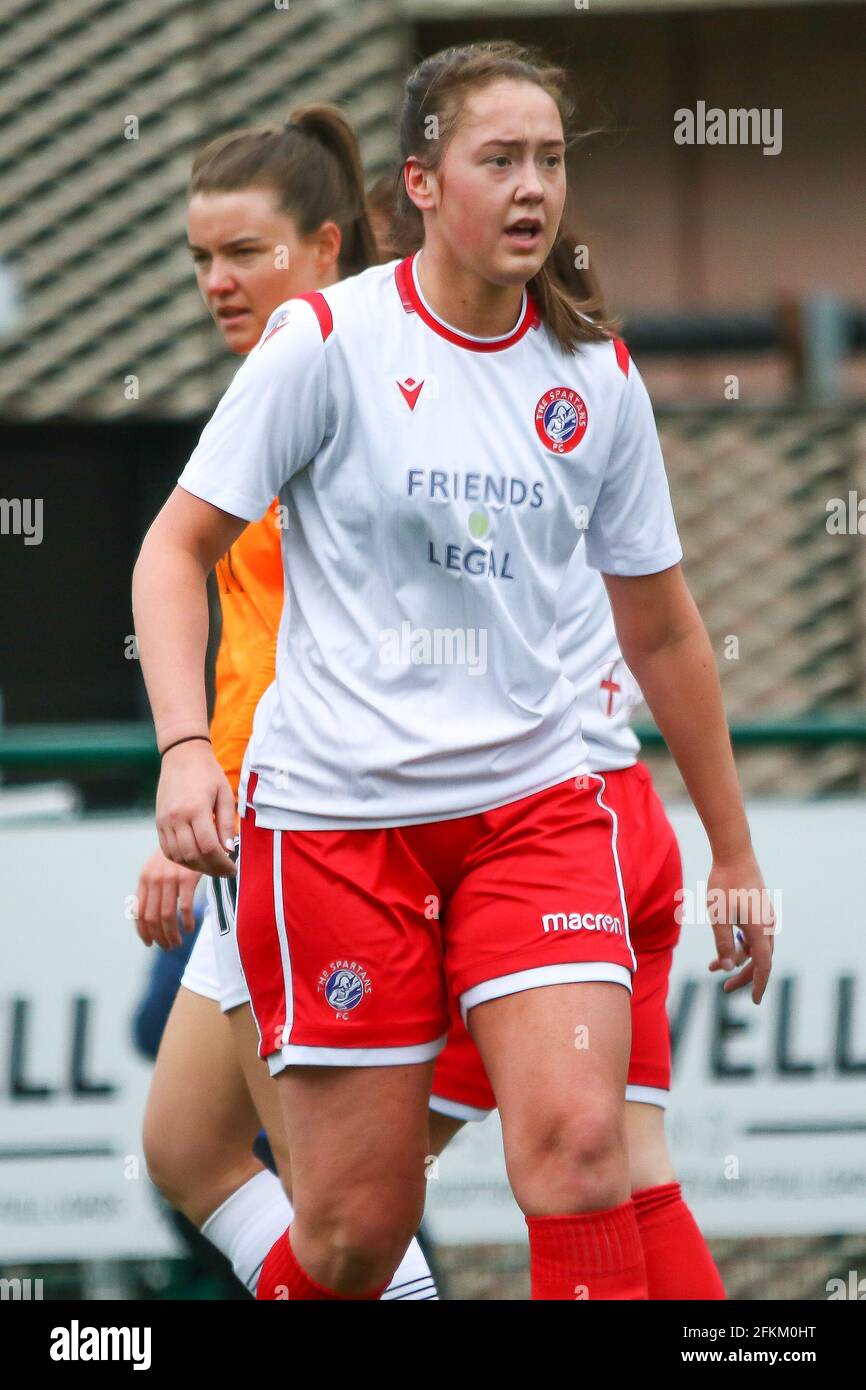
<point x="357" y="1129"/>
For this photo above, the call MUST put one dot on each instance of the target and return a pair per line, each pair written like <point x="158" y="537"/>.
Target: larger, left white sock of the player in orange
<point x="250" y="1224"/>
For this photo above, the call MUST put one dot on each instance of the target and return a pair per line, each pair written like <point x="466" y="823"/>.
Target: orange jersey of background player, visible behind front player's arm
<point x="250" y="578"/>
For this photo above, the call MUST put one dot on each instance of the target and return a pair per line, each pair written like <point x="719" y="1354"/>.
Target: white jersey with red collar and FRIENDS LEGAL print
<point x="434" y="489"/>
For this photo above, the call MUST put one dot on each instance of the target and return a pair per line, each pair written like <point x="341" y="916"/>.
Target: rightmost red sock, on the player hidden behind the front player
<point x="679" y="1264"/>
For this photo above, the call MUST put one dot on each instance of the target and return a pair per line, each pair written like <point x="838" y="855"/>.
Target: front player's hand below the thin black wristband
<point x="195" y="811"/>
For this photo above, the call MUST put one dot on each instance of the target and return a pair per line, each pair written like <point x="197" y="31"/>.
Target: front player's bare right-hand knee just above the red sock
<point x="571" y="1160"/>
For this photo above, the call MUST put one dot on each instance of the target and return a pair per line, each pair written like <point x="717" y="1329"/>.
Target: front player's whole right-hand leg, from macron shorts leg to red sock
<point x="537" y="951"/>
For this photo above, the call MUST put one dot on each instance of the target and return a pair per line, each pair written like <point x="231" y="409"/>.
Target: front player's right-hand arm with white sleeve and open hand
<point x="633" y="541"/>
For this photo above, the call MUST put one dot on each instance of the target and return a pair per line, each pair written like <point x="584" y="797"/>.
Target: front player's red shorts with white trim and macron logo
<point x="355" y="942"/>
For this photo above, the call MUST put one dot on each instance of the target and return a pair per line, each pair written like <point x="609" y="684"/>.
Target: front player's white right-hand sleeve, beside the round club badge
<point x="632" y="529"/>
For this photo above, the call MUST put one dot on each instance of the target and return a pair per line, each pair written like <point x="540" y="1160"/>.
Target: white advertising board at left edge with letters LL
<point x="73" y="1089"/>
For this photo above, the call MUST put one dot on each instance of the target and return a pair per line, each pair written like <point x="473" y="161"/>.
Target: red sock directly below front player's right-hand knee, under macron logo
<point x="587" y="1256"/>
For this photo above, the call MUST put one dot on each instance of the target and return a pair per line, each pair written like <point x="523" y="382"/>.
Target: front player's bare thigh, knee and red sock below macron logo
<point x="564" y="1128"/>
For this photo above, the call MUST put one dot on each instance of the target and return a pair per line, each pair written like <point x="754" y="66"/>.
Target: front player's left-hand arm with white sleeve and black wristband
<point x="268" y="427"/>
